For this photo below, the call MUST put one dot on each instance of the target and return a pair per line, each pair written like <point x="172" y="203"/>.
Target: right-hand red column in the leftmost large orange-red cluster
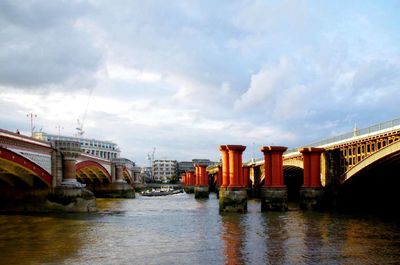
<point x="235" y="165"/>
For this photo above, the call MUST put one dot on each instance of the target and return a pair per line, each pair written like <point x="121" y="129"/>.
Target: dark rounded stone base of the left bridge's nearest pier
<point x="70" y="199"/>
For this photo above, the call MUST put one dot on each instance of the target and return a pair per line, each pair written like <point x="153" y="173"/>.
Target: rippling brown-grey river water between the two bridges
<point x="178" y="229"/>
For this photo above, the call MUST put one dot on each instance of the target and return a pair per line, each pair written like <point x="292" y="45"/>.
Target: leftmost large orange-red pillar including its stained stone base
<point x="232" y="194"/>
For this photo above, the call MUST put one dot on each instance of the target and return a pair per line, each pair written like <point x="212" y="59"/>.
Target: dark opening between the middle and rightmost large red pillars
<point x="293" y="179"/>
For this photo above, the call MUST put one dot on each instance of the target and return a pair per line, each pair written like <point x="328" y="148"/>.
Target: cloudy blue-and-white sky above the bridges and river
<point x="187" y="76"/>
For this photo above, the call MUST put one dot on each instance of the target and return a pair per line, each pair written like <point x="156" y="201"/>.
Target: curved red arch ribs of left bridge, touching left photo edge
<point x="11" y="162"/>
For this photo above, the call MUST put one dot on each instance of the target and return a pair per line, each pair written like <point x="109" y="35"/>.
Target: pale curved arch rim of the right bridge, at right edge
<point x="389" y="151"/>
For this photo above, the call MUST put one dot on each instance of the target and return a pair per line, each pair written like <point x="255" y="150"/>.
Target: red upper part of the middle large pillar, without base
<point x="273" y="166"/>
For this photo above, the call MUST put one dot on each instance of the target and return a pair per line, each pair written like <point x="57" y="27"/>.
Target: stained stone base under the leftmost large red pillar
<point x="233" y="200"/>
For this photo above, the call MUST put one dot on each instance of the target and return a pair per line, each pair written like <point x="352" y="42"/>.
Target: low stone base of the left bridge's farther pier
<point x="117" y="189"/>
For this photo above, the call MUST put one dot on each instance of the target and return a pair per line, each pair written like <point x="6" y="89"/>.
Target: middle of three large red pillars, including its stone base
<point x="273" y="192"/>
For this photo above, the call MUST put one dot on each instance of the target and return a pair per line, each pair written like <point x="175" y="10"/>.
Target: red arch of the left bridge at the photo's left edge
<point x="15" y="166"/>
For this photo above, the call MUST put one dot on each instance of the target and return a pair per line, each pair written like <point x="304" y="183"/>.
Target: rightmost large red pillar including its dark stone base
<point x="312" y="192"/>
